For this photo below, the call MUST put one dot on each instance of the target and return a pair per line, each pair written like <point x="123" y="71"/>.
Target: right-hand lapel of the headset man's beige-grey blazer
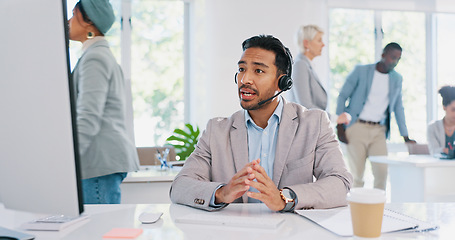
<point x="286" y="133"/>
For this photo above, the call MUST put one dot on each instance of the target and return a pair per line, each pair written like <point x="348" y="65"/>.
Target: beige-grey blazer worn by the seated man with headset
<point x="306" y="147"/>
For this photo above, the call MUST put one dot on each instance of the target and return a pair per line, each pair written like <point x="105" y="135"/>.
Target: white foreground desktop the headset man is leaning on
<point x="105" y="217"/>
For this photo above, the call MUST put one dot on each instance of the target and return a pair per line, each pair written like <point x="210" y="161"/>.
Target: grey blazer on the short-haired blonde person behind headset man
<point x="307" y="90"/>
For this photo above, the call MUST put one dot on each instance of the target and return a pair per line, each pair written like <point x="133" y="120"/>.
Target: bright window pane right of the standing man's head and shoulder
<point x="408" y="29"/>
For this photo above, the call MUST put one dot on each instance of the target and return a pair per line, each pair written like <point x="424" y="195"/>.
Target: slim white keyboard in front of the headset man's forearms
<point x="233" y="221"/>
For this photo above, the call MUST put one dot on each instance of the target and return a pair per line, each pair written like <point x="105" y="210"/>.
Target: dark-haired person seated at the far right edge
<point x="440" y="132"/>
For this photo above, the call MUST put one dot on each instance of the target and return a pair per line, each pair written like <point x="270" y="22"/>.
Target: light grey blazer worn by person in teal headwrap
<point x="104" y="144"/>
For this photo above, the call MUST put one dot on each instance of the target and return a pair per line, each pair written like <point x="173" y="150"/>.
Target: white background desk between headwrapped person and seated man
<point x="148" y="185"/>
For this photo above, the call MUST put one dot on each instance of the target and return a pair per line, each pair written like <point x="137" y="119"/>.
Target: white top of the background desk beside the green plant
<point x="152" y="174"/>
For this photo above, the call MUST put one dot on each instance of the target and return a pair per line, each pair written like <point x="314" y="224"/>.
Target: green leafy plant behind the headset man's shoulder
<point x="184" y="141"/>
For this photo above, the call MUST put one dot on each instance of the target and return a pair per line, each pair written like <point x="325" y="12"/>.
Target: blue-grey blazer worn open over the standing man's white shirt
<point x="356" y="90"/>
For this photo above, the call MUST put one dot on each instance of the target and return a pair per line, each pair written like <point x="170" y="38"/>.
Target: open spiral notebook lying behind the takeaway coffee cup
<point x="338" y="221"/>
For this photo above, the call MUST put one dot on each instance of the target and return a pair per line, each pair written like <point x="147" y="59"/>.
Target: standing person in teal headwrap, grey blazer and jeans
<point x="107" y="151"/>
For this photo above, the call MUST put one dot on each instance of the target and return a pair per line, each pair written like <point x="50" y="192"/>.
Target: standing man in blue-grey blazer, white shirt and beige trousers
<point x="373" y="92"/>
